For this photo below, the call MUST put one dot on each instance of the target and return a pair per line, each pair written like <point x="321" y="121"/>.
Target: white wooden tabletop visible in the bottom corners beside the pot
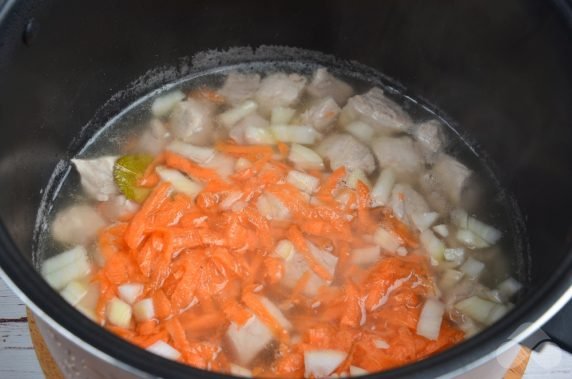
<point x="18" y="359"/>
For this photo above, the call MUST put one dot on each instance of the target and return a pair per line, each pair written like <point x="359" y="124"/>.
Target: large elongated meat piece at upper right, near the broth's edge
<point x="378" y="111"/>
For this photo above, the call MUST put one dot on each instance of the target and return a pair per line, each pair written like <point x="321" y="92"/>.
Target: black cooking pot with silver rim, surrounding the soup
<point x="500" y="70"/>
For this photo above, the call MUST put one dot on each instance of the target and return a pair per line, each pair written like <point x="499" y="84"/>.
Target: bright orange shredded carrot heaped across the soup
<point x="208" y="261"/>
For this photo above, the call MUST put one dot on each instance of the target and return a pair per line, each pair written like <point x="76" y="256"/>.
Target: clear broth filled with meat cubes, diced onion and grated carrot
<point x="282" y="221"/>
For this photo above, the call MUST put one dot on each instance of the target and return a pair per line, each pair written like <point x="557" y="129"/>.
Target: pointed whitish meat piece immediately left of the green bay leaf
<point x="97" y="177"/>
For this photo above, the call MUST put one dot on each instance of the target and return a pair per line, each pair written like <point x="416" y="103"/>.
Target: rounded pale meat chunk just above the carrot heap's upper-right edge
<point x="344" y="150"/>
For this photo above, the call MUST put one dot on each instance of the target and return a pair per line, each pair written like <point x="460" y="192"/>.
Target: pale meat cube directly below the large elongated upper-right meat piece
<point x="400" y="154"/>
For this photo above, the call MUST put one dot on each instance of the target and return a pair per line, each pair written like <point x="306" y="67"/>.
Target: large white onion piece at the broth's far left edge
<point x="70" y="265"/>
